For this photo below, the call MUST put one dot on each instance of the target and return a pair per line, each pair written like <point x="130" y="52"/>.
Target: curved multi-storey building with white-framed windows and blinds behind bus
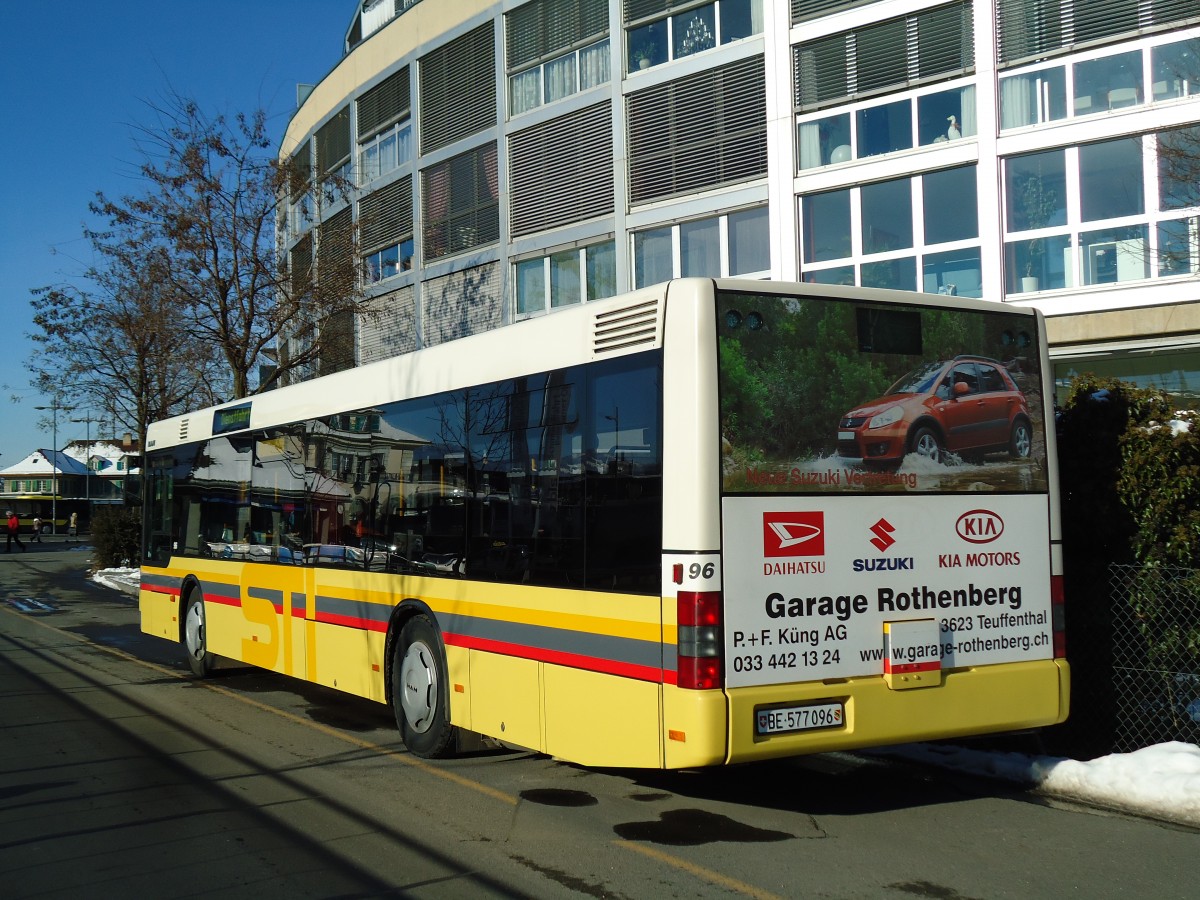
<point x="512" y="158"/>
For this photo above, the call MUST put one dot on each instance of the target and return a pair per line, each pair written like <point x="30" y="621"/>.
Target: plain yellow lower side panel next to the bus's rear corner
<point x="601" y="719"/>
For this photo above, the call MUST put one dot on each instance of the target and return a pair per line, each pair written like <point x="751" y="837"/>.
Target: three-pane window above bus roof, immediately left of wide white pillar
<point x="736" y="244"/>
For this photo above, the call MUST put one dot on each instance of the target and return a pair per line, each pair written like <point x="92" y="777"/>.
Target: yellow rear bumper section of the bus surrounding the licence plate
<point x="977" y="701"/>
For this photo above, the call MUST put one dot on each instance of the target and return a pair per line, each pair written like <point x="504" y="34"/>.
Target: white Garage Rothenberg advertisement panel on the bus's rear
<point x="815" y="587"/>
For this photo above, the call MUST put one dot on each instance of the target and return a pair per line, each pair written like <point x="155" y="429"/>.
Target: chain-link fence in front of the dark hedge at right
<point x="1156" y="656"/>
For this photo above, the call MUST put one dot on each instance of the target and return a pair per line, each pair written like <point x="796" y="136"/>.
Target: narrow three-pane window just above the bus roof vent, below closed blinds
<point x="566" y="278"/>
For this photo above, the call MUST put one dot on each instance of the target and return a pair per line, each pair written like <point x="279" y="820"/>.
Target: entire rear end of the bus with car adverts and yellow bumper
<point x="890" y="565"/>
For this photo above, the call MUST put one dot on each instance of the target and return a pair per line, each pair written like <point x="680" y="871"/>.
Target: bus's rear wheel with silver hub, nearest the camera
<point x="419" y="693"/>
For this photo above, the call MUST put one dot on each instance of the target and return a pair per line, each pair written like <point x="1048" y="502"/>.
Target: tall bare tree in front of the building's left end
<point x="214" y="189"/>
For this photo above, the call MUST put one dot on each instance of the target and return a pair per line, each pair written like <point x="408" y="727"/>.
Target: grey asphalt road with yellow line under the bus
<point x="121" y="776"/>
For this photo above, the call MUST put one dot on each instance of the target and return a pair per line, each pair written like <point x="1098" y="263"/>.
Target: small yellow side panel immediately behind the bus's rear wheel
<point x="506" y="699"/>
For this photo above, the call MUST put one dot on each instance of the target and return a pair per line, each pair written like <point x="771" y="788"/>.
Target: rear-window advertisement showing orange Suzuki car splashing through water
<point x="835" y="397"/>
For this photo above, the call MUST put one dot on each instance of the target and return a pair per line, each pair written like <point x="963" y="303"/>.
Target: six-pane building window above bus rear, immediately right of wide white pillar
<point x="919" y="233"/>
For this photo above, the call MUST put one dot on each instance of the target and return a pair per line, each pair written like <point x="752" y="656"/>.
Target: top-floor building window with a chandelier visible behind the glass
<point x="693" y="31"/>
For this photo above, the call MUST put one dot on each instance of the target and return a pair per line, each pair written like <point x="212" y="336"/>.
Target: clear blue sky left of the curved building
<point x="75" y="77"/>
